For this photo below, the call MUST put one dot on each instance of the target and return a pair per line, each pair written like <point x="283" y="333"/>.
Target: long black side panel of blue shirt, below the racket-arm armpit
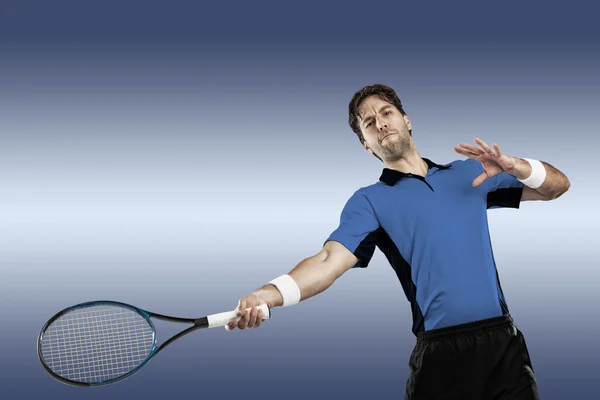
<point x="403" y="271"/>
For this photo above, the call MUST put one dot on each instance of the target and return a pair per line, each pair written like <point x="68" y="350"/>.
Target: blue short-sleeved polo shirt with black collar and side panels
<point x="434" y="232"/>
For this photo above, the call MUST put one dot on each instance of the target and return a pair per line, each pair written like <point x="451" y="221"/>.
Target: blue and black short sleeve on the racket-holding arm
<point x="358" y="228"/>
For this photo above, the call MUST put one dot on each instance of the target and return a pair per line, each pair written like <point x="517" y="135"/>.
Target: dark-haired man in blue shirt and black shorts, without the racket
<point x="430" y="221"/>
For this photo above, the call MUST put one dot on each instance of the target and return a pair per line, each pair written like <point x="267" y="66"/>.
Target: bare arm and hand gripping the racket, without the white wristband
<point x="312" y="275"/>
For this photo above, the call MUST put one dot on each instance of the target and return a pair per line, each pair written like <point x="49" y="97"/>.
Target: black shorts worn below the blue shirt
<point x="481" y="360"/>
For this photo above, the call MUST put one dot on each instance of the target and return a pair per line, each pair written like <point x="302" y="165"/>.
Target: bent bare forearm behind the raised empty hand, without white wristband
<point x="554" y="185"/>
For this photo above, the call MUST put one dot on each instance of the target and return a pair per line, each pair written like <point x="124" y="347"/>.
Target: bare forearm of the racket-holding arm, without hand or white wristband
<point x="312" y="275"/>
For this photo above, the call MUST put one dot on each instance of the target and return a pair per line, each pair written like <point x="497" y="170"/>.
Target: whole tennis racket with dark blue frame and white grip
<point x="102" y="342"/>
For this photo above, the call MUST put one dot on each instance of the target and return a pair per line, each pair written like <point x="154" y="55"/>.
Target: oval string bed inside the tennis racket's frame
<point x="97" y="343"/>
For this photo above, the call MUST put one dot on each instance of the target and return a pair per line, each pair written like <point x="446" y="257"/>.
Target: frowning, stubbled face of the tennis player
<point x="384" y="128"/>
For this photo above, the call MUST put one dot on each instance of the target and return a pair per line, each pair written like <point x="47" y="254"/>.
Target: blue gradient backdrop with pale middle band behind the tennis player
<point x="178" y="157"/>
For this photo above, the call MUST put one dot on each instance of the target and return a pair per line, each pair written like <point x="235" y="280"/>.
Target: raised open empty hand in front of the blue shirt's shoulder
<point x="494" y="162"/>
